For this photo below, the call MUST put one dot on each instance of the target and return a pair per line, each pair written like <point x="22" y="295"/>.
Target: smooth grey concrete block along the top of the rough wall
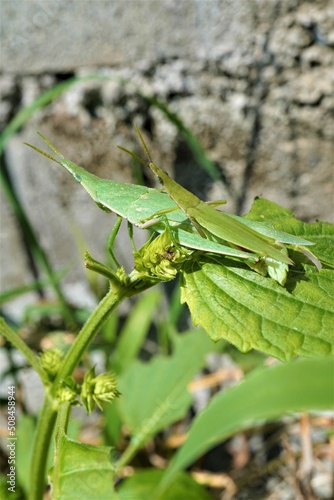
<point x="60" y="35"/>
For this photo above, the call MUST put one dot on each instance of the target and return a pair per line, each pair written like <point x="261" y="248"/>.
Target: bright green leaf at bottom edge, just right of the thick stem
<point x="84" y="472"/>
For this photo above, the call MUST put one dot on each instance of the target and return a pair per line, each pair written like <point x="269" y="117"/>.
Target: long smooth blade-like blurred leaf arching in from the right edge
<point x="263" y="395"/>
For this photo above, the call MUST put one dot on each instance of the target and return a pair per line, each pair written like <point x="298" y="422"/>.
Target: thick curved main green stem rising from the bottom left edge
<point x="46" y="422"/>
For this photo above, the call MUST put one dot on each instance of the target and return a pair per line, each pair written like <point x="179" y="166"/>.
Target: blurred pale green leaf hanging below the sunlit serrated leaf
<point x="154" y="393"/>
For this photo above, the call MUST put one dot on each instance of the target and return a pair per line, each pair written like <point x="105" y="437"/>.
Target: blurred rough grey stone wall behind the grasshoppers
<point x="253" y="81"/>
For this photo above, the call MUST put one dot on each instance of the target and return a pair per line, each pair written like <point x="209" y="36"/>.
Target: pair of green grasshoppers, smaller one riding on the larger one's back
<point x="195" y="224"/>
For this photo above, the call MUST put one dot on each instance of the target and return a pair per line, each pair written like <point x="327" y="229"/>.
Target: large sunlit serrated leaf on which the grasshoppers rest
<point x="253" y="312"/>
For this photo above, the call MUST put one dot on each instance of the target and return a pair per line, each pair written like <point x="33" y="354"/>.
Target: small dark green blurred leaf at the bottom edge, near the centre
<point x="142" y="486"/>
